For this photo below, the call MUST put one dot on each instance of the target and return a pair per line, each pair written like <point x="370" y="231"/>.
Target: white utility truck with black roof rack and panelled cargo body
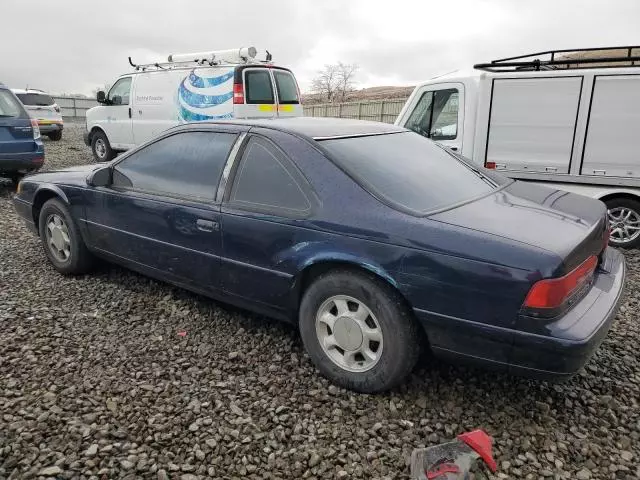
<point x="569" y="118"/>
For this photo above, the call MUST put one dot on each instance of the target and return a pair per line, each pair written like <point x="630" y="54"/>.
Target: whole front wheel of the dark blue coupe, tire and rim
<point x="61" y="239"/>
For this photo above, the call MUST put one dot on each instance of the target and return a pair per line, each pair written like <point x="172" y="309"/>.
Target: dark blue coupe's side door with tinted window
<point x="160" y="212"/>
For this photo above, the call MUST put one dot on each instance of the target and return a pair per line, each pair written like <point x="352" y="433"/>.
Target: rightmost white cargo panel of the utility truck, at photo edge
<point x="612" y="143"/>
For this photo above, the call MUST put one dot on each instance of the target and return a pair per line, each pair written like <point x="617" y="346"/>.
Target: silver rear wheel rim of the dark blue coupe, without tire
<point x="349" y="333"/>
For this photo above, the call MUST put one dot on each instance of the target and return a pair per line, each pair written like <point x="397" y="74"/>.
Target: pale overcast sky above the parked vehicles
<point x="73" y="46"/>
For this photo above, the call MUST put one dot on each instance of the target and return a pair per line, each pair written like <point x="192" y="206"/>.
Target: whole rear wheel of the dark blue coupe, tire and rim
<point x="358" y="331"/>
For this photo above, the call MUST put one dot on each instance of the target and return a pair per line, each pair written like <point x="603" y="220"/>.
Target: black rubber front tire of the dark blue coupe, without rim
<point x="80" y="260"/>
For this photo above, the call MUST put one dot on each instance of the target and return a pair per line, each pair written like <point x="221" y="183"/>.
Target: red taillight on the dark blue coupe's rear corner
<point x="551" y="293"/>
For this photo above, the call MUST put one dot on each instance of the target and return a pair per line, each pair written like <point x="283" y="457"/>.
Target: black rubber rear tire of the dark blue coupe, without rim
<point x="400" y="331"/>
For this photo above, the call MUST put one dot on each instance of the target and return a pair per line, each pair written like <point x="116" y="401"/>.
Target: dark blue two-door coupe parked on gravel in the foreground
<point x="374" y="240"/>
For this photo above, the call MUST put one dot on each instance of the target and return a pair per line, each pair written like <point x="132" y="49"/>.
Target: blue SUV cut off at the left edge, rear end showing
<point x="21" y="148"/>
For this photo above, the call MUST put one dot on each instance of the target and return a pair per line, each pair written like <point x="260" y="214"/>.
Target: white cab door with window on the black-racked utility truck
<point x="436" y="114"/>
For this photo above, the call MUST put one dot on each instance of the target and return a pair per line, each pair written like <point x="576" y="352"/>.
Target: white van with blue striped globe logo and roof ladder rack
<point x="188" y="88"/>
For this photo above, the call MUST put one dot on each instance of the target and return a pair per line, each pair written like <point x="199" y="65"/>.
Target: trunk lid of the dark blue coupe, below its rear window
<point x="571" y="226"/>
